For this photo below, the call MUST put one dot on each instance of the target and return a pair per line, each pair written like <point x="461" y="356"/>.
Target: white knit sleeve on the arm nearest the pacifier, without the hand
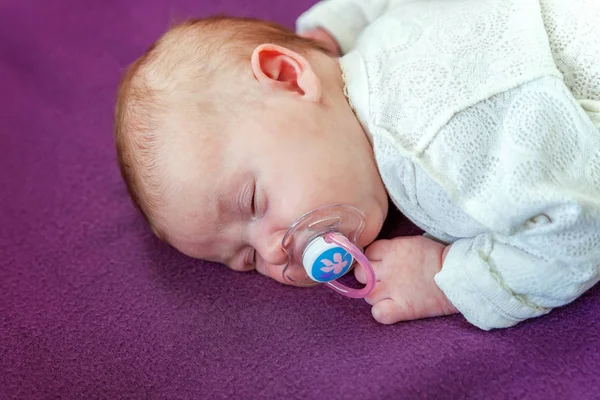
<point x="540" y="204"/>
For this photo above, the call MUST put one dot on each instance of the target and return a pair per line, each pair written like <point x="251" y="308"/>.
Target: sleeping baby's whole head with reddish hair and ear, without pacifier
<point x="228" y="130"/>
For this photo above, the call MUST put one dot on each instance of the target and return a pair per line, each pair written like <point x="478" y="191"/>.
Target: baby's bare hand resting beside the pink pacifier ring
<point x="404" y="270"/>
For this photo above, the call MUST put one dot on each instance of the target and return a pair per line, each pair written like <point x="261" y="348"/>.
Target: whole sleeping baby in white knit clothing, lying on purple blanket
<point x="479" y="119"/>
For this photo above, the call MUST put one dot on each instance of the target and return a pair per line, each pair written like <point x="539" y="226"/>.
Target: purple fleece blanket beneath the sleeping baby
<point x="93" y="307"/>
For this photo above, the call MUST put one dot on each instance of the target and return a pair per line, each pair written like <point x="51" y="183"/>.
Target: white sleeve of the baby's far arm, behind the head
<point x="343" y="19"/>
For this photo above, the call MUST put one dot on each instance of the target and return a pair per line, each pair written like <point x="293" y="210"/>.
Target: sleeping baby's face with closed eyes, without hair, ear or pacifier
<point x="235" y="193"/>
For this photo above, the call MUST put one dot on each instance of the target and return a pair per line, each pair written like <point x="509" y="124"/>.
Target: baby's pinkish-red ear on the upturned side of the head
<point x="282" y="69"/>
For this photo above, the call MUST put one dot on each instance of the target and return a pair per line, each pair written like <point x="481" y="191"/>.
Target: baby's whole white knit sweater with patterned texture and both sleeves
<point x="476" y="110"/>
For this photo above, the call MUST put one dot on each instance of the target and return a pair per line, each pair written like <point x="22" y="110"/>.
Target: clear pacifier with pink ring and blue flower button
<point x="321" y="248"/>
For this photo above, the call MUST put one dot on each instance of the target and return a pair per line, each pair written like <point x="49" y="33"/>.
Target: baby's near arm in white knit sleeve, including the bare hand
<point x="533" y="179"/>
